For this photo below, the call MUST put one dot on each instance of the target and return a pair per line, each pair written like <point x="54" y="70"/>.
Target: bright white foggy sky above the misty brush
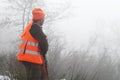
<point x="86" y="19"/>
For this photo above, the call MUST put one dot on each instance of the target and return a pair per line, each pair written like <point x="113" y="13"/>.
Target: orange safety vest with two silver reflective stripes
<point x="29" y="50"/>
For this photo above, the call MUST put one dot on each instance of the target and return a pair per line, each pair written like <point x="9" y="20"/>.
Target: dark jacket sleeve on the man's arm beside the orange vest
<point x="38" y="34"/>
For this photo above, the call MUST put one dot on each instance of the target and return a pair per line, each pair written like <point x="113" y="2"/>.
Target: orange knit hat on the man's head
<point x="38" y="14"/>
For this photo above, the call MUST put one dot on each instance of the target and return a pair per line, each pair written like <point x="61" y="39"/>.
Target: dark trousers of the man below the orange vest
<point x="33" y="71"/>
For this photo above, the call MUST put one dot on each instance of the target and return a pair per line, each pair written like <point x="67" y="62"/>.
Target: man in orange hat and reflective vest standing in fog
<point x="34" y="47"/>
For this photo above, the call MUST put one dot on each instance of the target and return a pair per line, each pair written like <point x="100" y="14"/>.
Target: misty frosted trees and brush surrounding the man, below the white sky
<point x="98" y="59"/>
